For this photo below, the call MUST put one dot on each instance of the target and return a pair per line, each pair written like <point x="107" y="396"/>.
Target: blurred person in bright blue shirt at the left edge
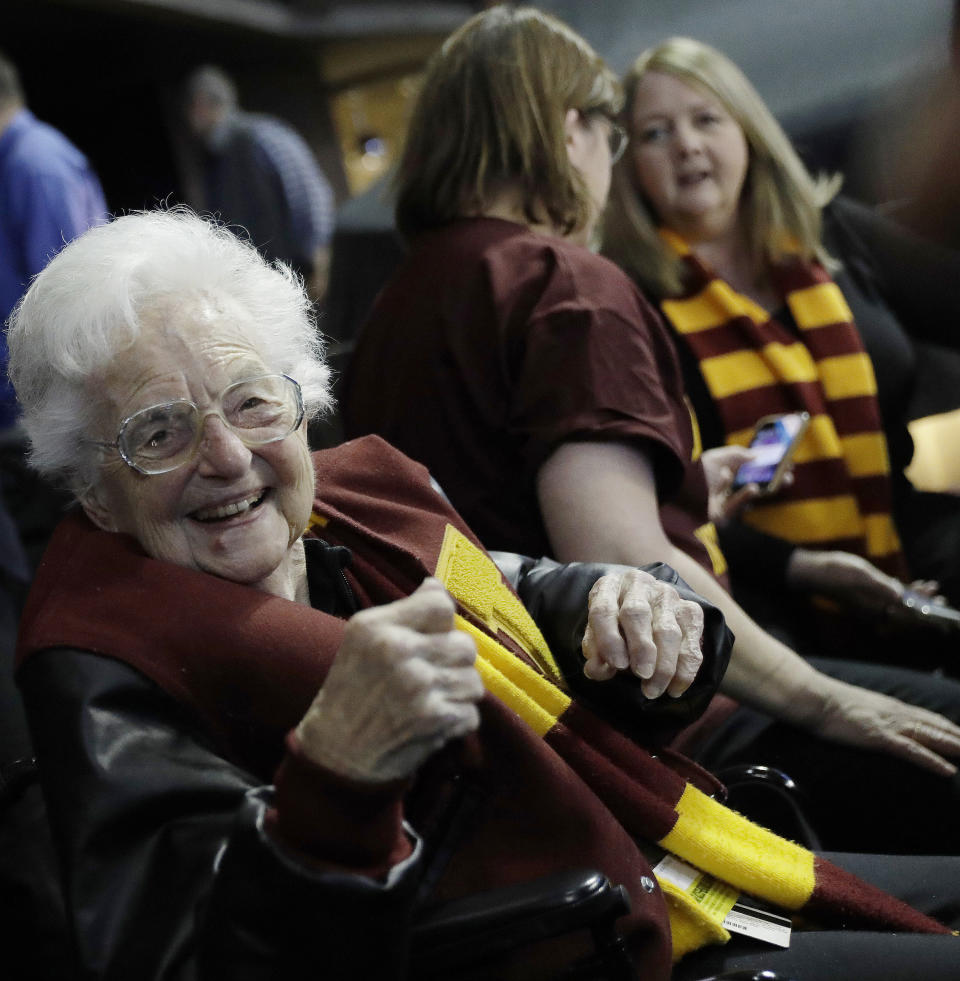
<point x="49" y="194"/>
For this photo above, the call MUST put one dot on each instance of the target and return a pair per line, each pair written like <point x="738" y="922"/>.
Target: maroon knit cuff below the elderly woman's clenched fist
<point x="334" y="822"/>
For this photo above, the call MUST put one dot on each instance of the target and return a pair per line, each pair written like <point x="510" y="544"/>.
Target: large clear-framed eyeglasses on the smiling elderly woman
<point x="160" y="438"/>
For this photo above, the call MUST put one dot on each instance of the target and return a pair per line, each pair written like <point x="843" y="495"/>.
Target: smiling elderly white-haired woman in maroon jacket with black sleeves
<point x="236" y="658"/>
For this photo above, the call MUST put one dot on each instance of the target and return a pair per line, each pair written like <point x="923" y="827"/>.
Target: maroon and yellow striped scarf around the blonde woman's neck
<point x="753" y="366"/>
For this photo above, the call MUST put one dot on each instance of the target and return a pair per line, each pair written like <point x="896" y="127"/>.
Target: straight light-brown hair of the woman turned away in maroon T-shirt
<point x="491" y="111"/>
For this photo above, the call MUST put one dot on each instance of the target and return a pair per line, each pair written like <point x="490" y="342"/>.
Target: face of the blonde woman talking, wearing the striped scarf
<point x="689" y="156"/>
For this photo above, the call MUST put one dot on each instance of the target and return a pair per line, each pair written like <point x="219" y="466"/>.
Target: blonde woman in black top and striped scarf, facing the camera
<point x="783" y="297"/>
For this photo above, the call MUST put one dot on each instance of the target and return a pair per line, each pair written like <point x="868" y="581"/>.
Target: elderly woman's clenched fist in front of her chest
<point x="403" y="684"/>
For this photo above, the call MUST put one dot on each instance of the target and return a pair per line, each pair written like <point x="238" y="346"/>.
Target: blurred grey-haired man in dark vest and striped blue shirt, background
<point x="260" y="175"/>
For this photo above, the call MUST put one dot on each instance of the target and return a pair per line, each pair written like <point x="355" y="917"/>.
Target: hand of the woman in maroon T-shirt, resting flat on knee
<point x="860" y="717"/>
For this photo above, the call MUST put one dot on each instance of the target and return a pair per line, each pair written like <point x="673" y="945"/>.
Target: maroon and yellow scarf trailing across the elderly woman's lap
<point x="681" y="818"/>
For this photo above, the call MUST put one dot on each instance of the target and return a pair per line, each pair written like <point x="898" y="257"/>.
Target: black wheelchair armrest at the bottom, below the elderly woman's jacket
<point x="486" y="925"/>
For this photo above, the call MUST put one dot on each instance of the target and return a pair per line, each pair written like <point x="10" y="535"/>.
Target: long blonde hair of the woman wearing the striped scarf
<point x="782" y="202"/>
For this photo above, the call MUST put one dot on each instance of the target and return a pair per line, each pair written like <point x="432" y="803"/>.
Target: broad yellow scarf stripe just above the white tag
<point x="741" y="853"/>
